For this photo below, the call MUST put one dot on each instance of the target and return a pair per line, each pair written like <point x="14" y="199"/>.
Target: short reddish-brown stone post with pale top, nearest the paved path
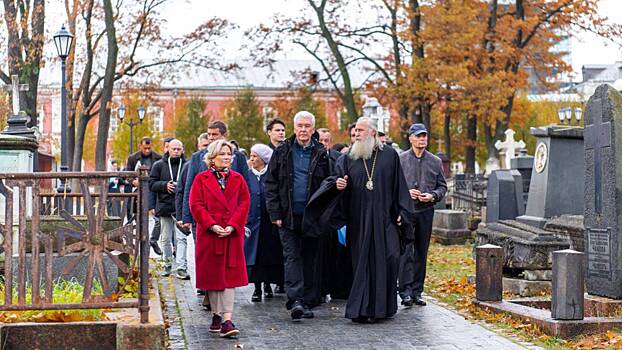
<point x="489" y="273"/>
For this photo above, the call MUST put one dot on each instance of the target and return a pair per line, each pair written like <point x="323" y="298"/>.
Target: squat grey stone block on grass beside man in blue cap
<point x="450" y="227"/>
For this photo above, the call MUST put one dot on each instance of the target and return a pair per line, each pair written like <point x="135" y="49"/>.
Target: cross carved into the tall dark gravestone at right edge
<point x="597" y="137"/>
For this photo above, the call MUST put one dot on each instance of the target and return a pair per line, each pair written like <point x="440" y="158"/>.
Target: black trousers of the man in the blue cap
<point x="413" y="261"/>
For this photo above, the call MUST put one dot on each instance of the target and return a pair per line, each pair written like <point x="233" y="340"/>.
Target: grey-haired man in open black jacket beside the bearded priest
<point x="296" y="170"/>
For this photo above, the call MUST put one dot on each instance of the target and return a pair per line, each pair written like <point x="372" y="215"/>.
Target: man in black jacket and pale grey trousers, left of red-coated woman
<point x="163" y="181"/>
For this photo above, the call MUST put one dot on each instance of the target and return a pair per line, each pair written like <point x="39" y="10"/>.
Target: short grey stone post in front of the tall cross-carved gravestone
<point x="567" y="293"/>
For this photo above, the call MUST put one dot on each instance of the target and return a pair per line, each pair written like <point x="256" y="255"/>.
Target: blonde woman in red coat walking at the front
<point x="219" y="202"/>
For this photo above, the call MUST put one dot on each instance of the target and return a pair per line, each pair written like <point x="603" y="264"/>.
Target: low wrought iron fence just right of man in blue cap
<point x="468" y="193"/>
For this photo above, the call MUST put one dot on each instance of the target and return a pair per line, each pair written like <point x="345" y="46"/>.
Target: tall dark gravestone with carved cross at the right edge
<point x="603" y="200"/>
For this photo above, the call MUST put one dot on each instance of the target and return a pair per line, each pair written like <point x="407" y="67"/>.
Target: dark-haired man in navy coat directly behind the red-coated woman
<point x="216" y="130"/>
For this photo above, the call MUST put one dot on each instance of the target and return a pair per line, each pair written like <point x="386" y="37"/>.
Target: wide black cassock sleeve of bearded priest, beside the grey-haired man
<point x="325" y="211"/>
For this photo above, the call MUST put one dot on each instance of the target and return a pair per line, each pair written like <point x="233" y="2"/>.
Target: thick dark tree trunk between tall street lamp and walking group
<point x="104" y="111"/>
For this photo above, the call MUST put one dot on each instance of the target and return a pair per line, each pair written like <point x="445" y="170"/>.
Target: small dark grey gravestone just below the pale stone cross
<point x="504" y="197"/>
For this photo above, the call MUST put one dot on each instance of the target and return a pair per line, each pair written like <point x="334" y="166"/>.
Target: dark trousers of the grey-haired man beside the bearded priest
<point x="299" y="254"/>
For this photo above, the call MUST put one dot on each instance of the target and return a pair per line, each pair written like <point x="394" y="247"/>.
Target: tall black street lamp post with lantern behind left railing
<point x="63" y="40"/>
